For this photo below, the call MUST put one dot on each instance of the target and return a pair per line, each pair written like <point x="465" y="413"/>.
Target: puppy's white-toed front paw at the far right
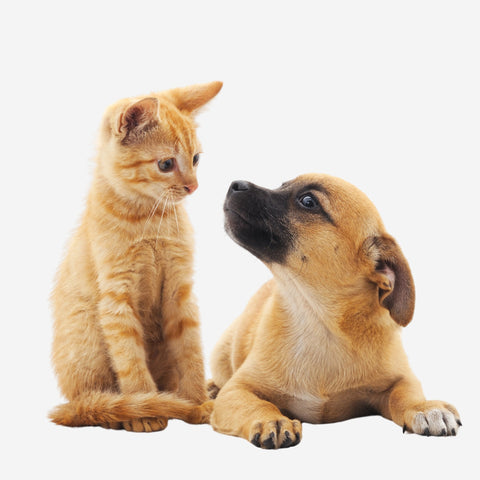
<point x="432" y="418"/>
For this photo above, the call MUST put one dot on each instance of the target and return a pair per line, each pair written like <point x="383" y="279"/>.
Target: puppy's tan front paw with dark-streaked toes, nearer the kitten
<point x="281" y="433"/>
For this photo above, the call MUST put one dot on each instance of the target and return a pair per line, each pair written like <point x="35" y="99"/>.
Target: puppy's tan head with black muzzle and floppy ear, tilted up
<point x="323" y="234"/>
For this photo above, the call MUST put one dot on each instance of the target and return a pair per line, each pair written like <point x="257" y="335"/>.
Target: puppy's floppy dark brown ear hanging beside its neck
<point x="389" y="270"/>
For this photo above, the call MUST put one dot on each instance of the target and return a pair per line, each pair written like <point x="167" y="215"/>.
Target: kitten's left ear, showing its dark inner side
<point x="137" y="118"/>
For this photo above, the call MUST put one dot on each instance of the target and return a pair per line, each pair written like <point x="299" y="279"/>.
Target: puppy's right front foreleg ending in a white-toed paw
<point x="407" y="407"/>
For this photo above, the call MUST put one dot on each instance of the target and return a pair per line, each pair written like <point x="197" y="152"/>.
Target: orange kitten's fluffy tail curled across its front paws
<point x="97" y="408"/>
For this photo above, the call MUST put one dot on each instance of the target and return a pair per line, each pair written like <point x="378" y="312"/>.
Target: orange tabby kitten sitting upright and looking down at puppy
<point x="126" y="323"/>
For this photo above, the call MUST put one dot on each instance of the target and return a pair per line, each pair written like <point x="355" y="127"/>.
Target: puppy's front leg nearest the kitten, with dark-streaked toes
<point x="239" y="411"/>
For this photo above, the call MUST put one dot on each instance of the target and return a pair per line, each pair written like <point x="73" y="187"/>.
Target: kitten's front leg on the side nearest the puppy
<point x="182" y="335"/>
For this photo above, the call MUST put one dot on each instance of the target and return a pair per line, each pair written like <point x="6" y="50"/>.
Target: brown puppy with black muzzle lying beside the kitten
<point x="321" y="341"/>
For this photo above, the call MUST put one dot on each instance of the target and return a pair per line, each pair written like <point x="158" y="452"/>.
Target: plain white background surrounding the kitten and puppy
<point x="384" y="94"/>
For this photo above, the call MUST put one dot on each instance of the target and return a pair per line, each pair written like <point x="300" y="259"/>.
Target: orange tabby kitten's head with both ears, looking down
<point x="149" y="148"/>
